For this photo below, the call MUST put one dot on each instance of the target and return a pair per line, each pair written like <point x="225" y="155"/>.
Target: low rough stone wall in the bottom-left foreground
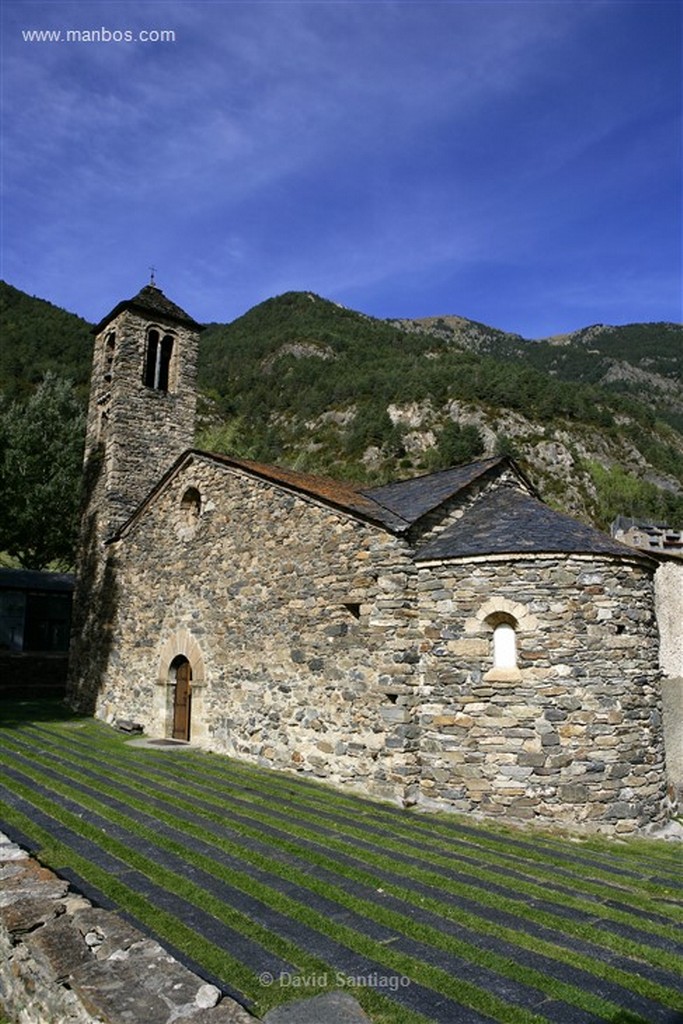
<point x="65" y="962"/>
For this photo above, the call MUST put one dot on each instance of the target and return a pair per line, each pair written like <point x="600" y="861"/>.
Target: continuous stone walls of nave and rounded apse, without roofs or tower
<point x="318" y="646"/>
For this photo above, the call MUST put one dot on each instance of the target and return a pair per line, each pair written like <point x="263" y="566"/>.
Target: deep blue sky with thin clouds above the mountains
<point x="517" y="162"/>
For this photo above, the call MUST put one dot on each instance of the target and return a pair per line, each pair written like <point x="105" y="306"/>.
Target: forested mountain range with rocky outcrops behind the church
<point x="596" y="417"/>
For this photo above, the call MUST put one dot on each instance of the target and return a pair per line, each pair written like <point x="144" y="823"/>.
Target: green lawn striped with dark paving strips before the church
<point x="276" y="887"/>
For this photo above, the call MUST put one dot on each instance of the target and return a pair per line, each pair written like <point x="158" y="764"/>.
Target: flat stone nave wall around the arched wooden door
<point x="301" y="618"/>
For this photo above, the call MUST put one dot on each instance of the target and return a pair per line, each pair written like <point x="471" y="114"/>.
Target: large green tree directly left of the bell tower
<point x="41" y="460"/>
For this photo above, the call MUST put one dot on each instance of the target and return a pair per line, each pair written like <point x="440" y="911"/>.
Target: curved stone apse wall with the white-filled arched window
<point x="568" y="729"/>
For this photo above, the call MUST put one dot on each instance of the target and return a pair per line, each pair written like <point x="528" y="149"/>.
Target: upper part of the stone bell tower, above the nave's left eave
<point x="143" y="403"/>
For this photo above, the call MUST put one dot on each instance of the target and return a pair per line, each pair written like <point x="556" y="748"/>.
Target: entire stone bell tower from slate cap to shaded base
<point x="141" y="419"/>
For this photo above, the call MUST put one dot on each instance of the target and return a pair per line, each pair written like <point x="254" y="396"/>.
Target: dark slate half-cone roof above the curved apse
<point x="508" y="522"/>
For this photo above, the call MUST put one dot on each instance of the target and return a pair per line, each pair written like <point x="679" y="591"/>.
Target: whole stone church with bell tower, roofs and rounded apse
<point x="447" y="642"/>
